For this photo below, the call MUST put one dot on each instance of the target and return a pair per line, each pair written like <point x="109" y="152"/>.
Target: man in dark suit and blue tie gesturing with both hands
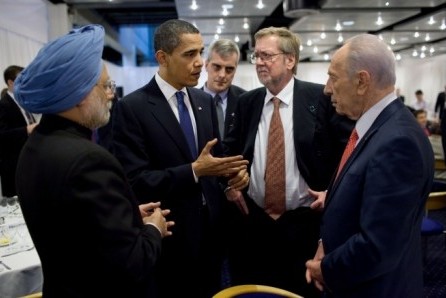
<point x="165" y="135"/>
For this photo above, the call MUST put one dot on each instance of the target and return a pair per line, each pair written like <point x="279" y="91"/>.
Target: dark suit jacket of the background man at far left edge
<point x="13" y="136"/>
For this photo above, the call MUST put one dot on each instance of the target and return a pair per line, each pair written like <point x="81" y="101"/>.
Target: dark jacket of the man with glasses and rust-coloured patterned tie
<point x="320" y="135"/>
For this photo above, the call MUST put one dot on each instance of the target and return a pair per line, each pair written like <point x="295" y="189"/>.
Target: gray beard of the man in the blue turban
<point x="96" y="112"/>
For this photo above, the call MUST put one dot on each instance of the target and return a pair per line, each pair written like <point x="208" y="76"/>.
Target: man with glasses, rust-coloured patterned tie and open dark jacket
<point x="272" y="240"/>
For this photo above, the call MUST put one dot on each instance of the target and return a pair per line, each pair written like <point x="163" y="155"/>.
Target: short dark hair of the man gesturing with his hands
<point x="168" y="34"/>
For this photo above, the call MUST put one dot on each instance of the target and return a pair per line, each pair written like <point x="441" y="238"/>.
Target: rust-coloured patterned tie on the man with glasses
<point x="275" y="166"/>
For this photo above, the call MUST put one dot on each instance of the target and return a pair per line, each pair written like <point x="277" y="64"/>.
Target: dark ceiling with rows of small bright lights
<point x="413" y="28"/>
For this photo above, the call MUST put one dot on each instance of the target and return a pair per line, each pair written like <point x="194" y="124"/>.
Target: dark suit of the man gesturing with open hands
<point x="150" y="144"/>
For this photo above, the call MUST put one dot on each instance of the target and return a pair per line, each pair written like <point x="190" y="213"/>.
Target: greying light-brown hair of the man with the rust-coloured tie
<point x="289" y="42"/>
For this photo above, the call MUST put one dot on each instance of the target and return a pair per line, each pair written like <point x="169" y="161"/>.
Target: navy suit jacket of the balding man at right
<point x="372" y="218"/>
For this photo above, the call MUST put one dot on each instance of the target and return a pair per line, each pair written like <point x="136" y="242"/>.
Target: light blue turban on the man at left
<point x="63" y="73"/>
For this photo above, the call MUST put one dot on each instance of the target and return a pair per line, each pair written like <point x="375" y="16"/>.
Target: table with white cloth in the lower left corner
<point x="20" y="268"/>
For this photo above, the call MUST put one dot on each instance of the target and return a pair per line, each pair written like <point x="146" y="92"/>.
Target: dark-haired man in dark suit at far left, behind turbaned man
<point x="15" y="126"/>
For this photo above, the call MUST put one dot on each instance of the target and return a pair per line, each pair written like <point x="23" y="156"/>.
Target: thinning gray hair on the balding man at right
<point x="368" y="52"/>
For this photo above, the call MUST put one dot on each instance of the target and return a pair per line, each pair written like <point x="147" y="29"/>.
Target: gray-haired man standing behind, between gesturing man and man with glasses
<point x="221" y="64"/>
